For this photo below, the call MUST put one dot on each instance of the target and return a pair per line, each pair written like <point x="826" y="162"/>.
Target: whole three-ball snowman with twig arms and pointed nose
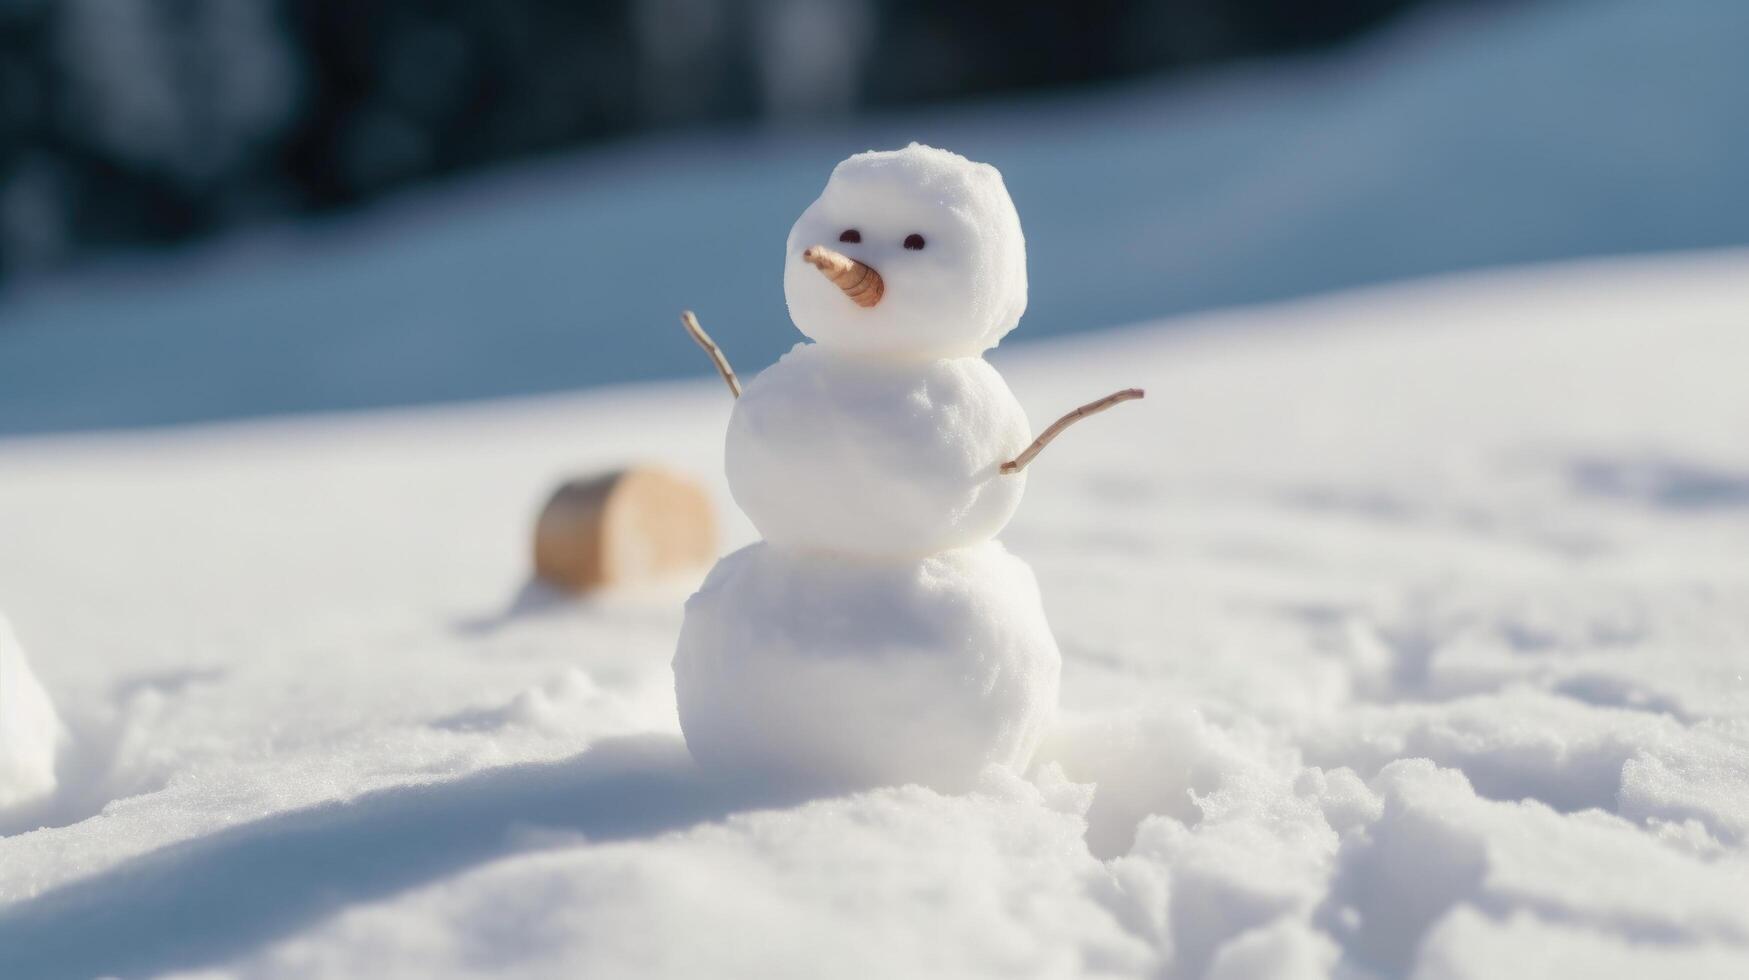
<point x="879" y="634"/>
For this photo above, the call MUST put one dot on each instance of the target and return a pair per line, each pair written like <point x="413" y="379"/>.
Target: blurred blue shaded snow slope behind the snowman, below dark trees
<point x="1484" y="137"/>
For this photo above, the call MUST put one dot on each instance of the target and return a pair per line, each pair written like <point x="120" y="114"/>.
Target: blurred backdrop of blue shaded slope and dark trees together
<point x="218" y="209"/>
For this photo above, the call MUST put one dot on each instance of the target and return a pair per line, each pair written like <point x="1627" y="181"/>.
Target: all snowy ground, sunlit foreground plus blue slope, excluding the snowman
<point x="1404" y="633"/>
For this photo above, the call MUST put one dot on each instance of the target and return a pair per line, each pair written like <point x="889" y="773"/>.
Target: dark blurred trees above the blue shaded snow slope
<point x="143" y="122"/>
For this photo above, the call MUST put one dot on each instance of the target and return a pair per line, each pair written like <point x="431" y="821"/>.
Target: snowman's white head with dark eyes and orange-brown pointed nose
<point x="910" y="253"/>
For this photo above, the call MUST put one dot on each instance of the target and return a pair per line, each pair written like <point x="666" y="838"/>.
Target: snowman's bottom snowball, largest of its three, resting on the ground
<point x="844" y="673"/>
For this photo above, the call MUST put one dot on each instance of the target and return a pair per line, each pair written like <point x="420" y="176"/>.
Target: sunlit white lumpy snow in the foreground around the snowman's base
<point x="1404" y="634"/>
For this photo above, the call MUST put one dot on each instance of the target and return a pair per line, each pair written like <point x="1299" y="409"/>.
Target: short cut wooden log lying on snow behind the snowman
<point x="624" y="528"/>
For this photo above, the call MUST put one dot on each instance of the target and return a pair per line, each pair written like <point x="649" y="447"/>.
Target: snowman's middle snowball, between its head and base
<point x="867" y="458"/>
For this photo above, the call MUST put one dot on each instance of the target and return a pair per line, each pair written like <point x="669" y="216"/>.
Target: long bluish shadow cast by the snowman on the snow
<point x="209" y="900"/>
